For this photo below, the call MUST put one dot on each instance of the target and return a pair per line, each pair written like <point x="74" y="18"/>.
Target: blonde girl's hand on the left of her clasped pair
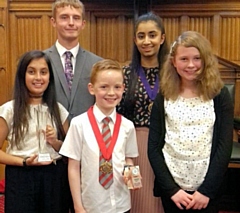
<point x="182" y="199"/>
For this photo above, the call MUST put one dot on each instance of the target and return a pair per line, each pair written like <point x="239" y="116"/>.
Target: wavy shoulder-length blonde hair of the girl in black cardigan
<point x="208" y="81"/>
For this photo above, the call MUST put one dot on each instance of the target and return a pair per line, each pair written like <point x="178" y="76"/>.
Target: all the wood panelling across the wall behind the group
<point x="109" y="28"/>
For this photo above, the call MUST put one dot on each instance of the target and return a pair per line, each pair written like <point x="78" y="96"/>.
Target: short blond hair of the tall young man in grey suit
<point x="72" y="3"/>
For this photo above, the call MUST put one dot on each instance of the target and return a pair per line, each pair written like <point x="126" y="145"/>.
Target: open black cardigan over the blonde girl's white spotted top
<point x="220" y="153"/>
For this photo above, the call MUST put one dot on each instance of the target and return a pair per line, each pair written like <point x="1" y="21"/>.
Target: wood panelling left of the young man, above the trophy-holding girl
<point x="29" y="31"/>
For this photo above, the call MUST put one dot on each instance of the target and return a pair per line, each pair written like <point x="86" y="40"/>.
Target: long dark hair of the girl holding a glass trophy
<point x="21" y="97"/>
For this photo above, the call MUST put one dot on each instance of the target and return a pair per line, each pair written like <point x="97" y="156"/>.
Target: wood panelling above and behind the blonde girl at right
<point x="218" y="22"/>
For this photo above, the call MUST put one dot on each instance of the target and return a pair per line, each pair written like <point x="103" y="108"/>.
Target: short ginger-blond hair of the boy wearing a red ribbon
<point x="105" y="64"/>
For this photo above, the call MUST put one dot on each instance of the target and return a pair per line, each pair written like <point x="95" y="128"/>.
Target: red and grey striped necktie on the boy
<point x="105" y="179"/>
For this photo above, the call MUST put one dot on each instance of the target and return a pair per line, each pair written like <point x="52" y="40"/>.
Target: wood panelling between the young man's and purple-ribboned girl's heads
<point x="114" y="37"/>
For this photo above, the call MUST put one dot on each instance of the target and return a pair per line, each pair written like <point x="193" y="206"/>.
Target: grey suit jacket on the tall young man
<point x="79" y="99"/>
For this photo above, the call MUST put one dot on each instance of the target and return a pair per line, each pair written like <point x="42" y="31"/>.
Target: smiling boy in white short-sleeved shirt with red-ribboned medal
<point x="96" y="161"/>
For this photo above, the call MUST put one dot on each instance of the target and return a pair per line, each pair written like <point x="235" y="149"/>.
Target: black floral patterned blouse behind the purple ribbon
<point x="140" y="109"/>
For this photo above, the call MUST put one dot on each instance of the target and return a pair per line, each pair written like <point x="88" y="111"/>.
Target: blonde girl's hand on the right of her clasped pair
<point x="199" y="201"/>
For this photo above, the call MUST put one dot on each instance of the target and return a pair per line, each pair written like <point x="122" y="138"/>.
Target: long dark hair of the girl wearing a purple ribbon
<point x="136" y="57"/>
